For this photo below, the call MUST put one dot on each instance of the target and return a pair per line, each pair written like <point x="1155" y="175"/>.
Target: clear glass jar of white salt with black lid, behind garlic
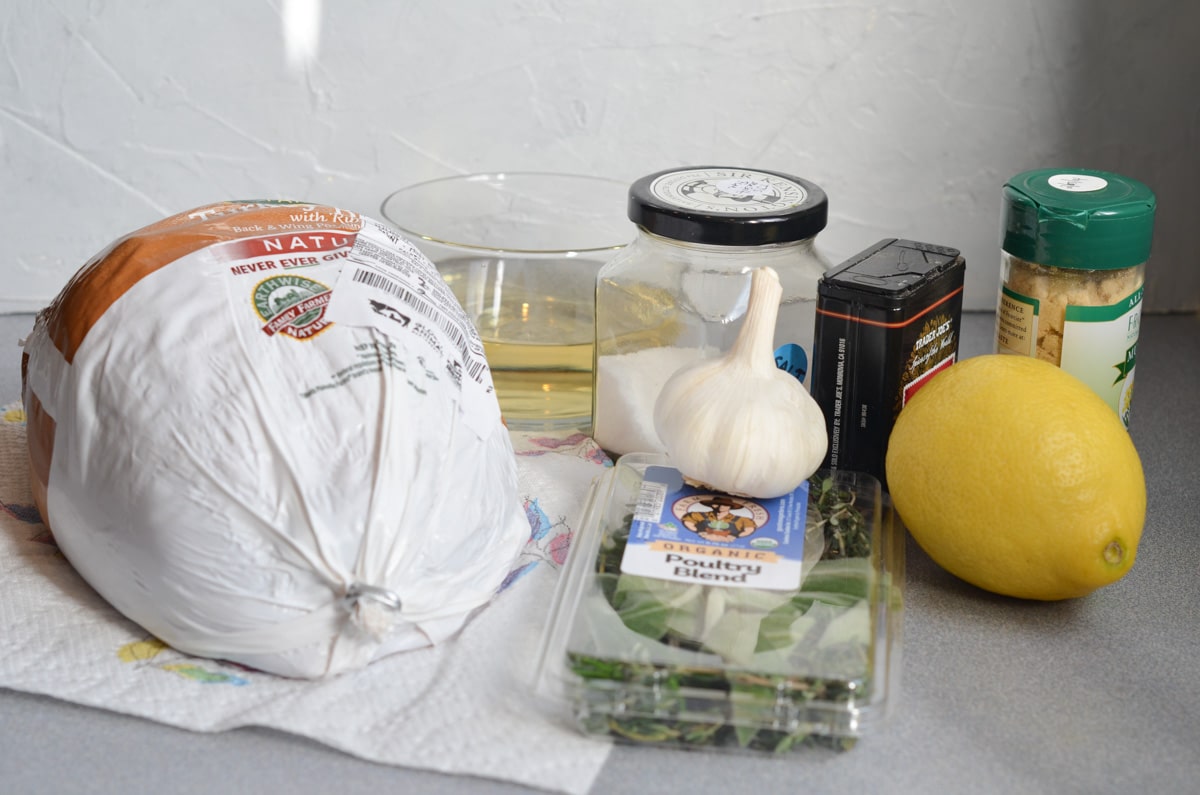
<point x="679" y="292"/>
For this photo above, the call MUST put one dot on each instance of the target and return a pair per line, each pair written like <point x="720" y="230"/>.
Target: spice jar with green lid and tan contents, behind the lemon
<point x="1076" y="246"/>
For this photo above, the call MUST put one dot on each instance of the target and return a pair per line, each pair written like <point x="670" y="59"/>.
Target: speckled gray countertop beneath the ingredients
<point x="1100" y="695"/>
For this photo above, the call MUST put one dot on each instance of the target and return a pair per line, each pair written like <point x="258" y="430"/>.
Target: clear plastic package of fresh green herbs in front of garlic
<point x="712" y="664"/>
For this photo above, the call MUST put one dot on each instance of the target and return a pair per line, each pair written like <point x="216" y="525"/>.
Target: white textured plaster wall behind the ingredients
<point x="911" y="115"/>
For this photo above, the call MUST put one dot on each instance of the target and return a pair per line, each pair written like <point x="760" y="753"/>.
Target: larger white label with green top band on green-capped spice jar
<point x="1100" y="348"/>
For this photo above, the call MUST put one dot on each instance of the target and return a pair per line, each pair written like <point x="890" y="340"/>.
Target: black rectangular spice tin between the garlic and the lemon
<point x="887" y="320"/>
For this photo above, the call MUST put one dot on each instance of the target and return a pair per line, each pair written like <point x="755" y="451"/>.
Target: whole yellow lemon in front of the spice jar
<point x="1016" y="477"/>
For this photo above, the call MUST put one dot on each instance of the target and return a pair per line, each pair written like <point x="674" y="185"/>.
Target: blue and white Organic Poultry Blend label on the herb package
<point x="706" y="537"/>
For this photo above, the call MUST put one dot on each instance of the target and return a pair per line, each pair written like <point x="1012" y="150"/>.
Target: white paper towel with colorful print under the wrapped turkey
<point x="464" y="708"/>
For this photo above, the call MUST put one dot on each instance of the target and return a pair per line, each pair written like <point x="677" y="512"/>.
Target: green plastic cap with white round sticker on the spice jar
<point x="1079" y="219"/>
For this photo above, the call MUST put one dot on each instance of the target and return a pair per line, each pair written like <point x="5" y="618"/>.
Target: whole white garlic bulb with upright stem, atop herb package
<point x="739" y="423"/>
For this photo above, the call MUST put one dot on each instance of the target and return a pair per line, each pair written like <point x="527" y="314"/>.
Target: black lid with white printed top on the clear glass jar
<point x="728" y="207"/>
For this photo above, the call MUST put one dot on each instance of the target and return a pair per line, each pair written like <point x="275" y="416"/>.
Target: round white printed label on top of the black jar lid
<point x="733" y="192"/>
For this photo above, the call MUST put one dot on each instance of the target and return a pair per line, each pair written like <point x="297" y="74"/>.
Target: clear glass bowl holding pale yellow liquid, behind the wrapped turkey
<point x="521" y="252"/>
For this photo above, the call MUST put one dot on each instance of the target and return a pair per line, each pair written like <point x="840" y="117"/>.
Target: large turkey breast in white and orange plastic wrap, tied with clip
<point x="267" y="434"/>
